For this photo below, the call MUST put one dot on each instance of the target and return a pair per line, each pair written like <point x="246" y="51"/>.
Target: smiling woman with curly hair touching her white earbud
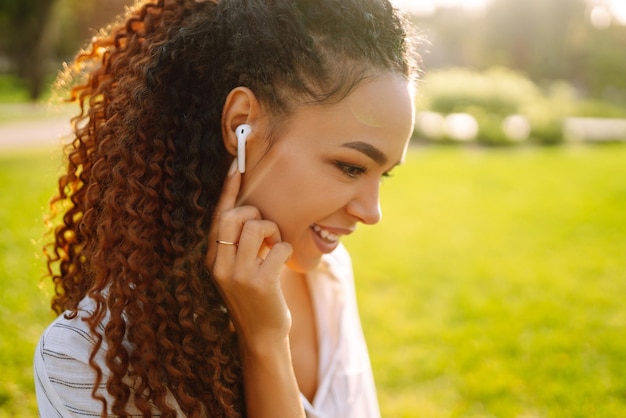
<point x="222" y="150"/>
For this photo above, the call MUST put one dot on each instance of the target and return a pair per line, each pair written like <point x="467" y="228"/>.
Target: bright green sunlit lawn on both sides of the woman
<point x="493" y="287"/>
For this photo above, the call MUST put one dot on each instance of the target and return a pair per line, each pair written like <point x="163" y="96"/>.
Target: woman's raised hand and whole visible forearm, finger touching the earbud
<point x="246" y="267"/>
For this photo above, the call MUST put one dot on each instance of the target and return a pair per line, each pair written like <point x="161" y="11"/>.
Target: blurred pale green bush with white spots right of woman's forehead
<point x="506" y="106"/>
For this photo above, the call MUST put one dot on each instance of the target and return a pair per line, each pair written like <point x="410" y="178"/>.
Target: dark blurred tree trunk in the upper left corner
<point x="22" y="34"/>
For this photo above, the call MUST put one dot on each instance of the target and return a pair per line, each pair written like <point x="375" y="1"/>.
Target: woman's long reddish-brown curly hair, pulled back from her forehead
<point x="147" y="164"/>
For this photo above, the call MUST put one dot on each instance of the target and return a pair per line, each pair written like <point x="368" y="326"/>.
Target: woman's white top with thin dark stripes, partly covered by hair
<point x="64" y="379"/>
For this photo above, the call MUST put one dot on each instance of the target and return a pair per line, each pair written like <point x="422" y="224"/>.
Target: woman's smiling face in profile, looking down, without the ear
<point x="321" y="176"/>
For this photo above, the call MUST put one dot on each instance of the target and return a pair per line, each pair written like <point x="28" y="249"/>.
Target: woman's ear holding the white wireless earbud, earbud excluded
<point x="241" y="106"/>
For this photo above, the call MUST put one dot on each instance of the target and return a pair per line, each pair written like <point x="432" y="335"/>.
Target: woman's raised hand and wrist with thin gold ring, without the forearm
<point x="247" y="273"/>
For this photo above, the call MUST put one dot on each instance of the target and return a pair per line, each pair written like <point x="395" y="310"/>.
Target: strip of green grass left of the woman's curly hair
<point x="26" y="183"/>
